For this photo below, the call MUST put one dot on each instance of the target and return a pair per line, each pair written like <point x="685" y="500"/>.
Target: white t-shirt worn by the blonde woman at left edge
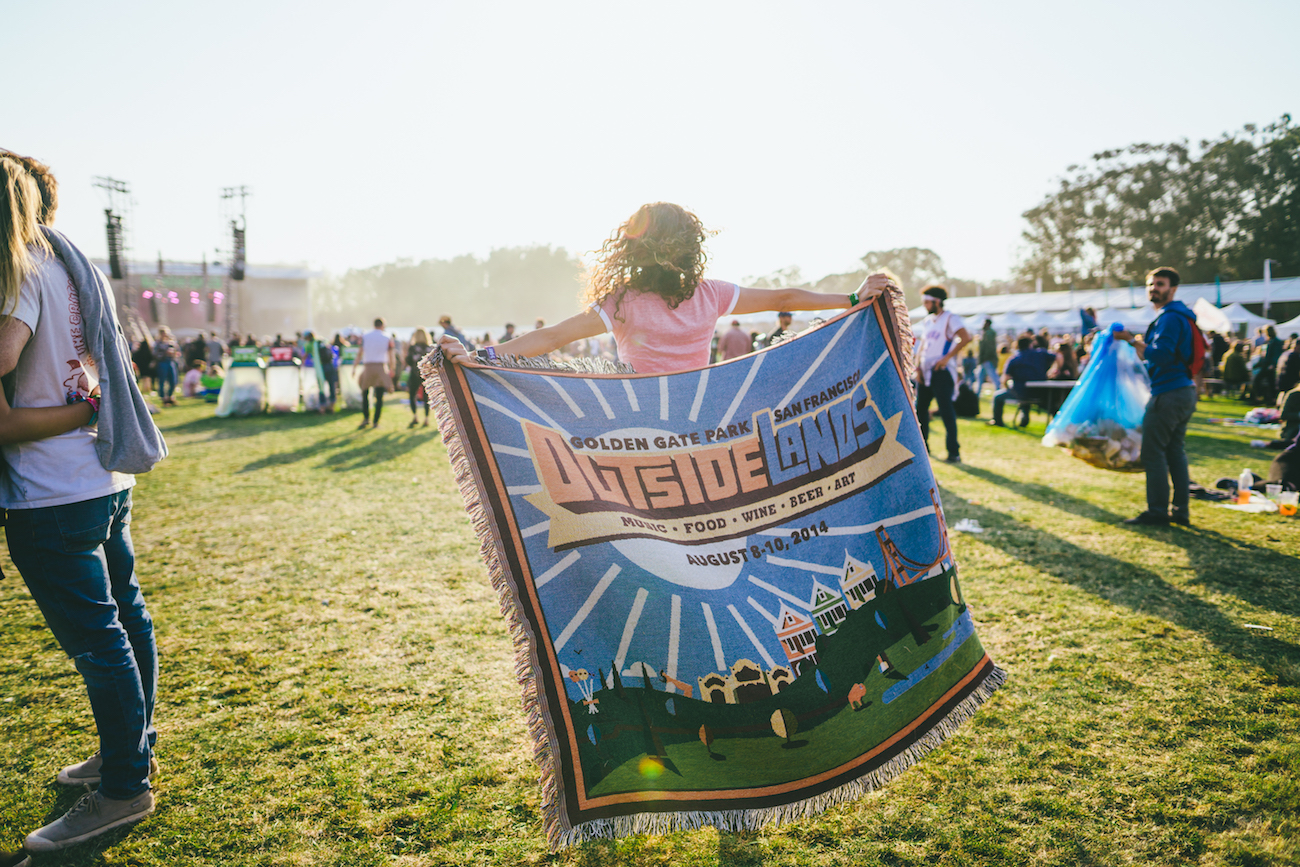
<point x="66" y="469"/>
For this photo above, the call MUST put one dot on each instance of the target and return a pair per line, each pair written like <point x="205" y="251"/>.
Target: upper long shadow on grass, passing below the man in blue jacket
<point x="1253" y="574"/>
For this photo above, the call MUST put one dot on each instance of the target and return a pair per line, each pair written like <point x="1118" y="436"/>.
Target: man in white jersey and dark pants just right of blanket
<point x="941" y="340"/>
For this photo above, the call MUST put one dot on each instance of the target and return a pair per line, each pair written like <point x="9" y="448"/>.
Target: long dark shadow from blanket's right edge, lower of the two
<point x="1130" y="586"/>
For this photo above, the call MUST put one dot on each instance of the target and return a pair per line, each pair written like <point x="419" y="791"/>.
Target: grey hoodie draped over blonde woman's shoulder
<point x="129" y="441"/>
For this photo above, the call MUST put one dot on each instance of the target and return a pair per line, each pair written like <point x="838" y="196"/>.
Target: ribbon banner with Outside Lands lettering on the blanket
<point x="742" y="485"/>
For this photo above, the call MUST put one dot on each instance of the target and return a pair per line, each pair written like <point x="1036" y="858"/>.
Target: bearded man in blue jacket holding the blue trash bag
<point x="1167" y="352"/>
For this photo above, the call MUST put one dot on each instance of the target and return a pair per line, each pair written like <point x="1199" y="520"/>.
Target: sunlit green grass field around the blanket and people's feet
<point x="337" y="680"/>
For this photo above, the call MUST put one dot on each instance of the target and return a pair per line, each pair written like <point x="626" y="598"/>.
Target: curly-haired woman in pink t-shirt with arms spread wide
<point x="649" y="291"/>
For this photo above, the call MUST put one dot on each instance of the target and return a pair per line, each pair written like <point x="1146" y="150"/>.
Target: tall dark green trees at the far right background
<point x="1215" y="211"/>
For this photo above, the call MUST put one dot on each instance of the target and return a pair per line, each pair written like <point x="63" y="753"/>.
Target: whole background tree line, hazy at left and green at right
<point x="1217" y="210"/>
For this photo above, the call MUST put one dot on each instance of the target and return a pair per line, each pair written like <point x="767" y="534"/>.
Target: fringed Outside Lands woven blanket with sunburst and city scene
<point x="731" y="589"/>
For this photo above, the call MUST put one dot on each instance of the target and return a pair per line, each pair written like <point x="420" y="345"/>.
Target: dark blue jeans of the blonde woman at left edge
<point x="80" y="566"/>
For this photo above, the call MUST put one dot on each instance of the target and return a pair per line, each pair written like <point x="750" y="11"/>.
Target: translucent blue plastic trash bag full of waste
<point x="1100" y="423"/>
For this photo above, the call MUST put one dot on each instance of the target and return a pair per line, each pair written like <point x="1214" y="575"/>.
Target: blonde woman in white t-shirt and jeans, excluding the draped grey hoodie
<point x="70" y="522"/>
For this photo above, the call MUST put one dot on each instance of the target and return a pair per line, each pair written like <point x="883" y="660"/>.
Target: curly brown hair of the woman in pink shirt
<point x="660" y="249"/>
